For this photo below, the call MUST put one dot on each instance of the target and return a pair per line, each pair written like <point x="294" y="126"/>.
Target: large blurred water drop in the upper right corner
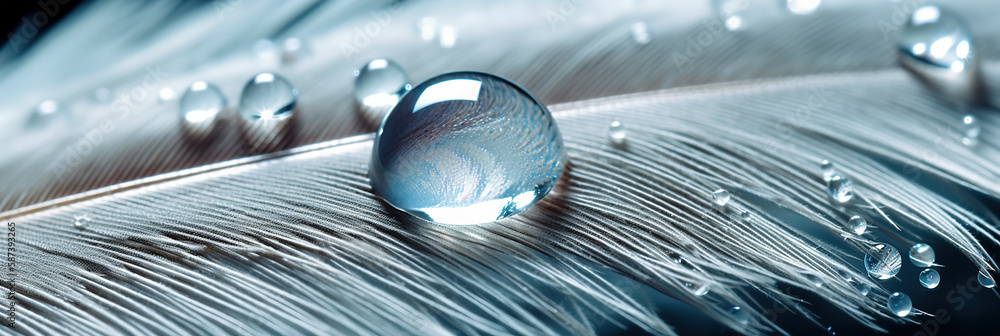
<point x="936" y="45"/>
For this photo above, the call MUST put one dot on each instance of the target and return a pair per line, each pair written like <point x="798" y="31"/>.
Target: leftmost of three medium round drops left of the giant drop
<point x="199" y="107"/>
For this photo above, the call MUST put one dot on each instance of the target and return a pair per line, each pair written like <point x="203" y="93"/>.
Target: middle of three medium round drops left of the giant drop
<point x="267" y="110"/>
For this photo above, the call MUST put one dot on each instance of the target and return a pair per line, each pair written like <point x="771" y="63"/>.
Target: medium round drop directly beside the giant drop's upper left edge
<point x="378" y="86"/>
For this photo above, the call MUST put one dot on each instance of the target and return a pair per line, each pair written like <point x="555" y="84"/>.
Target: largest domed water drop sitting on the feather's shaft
<point x="489" y="149"/>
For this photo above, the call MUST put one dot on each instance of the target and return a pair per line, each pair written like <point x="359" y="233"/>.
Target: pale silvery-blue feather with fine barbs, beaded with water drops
<point x="217" y="239"/>
